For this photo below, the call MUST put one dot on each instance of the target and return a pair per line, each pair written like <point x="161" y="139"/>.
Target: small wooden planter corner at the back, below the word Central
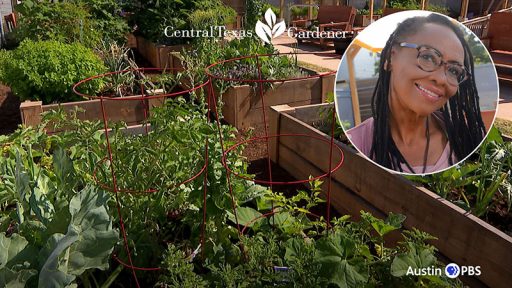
<point x="158" y="55"/>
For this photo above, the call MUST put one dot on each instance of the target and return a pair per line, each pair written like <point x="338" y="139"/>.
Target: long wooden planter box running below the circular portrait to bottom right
<point x="360" y="185"/>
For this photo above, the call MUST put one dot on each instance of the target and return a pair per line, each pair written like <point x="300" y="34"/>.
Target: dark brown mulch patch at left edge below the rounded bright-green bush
<point x="10" y="116"/>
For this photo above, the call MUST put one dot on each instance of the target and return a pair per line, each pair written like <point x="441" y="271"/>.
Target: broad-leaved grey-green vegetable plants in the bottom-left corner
<point x="57" y="225"/>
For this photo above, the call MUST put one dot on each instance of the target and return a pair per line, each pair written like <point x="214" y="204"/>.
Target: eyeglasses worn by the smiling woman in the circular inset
<point x="430" y="59"/>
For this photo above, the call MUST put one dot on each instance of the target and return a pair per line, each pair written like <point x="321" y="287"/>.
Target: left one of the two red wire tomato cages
<point x="146" y="99"/>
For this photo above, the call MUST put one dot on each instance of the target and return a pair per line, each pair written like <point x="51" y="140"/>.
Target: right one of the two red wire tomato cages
<point x="260" y="83"/>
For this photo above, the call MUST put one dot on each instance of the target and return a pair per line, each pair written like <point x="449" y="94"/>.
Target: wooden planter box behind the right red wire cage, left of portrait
<point x="243" y="106"/>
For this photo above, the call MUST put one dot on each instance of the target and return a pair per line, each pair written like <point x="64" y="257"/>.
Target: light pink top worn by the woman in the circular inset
<point x="362" y="138"/>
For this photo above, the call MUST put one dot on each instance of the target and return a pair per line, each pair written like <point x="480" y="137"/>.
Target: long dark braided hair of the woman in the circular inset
<point x="463" y="121"/>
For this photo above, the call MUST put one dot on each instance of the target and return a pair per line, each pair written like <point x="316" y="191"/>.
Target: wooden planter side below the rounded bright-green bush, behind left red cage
<point x="130" y="112"/>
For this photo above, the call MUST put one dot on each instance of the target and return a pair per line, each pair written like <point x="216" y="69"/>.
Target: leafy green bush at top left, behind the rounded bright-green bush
<point x="86" y="22"/>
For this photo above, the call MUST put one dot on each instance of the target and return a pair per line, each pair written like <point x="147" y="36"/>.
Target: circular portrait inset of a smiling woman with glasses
<point x="416" y="92"/>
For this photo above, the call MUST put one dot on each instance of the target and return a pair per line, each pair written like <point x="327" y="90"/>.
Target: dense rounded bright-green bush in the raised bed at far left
<point x="47" y="70"/>
